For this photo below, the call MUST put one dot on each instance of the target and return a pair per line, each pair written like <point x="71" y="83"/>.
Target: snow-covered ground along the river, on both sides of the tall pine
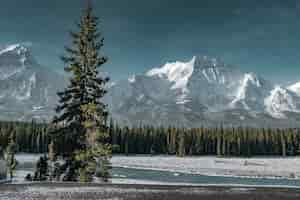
<point x="262" y="167"/>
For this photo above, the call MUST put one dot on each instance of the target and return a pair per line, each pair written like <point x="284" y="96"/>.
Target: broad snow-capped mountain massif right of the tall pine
<point x="202" y="91"/>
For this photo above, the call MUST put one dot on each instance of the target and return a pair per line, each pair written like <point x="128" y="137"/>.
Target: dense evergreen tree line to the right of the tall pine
<point x="220" y="141"/>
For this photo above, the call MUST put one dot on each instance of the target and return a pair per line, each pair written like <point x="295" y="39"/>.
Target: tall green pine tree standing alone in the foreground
<point x="72" y="134"/>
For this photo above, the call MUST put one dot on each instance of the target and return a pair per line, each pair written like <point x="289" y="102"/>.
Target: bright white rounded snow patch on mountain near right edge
<point x="279" y="101"/>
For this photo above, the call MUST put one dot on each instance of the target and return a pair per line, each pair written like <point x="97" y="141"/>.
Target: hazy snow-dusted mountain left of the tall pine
<point x="27" y="90"/>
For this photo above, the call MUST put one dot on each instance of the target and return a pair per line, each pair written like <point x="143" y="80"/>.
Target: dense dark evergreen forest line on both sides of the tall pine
<point x="221" y="141"/>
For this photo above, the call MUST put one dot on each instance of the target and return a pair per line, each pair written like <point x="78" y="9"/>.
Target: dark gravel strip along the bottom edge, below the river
<point x="75" y="191"/>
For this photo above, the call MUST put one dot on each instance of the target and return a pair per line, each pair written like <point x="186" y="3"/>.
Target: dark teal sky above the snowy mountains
<point x="261" y="36"/>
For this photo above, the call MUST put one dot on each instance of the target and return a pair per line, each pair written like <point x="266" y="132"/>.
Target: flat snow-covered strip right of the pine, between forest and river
<point x="276" y="167"/>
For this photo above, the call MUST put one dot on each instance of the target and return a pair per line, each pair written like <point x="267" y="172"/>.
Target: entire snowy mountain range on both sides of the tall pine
<point x="201" y="92"/>
